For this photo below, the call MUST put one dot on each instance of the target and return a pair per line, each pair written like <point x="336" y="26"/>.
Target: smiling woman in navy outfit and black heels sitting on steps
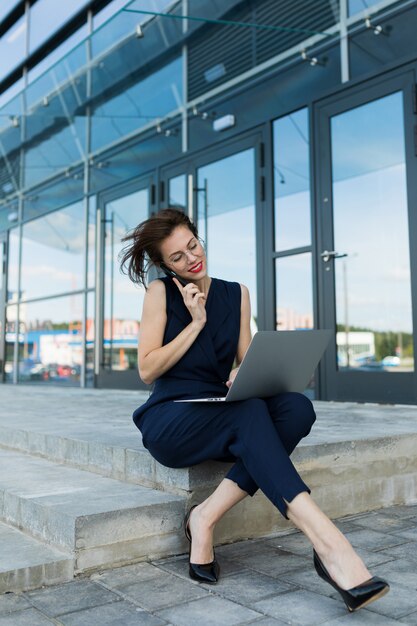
<point x="192" y="331"/>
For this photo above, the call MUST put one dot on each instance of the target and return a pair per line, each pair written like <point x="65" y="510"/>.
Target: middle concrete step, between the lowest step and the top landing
<point x="101" y="521"/>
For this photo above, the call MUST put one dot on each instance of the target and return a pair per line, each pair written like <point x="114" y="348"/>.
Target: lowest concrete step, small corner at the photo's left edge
<point x="26" y="563"/>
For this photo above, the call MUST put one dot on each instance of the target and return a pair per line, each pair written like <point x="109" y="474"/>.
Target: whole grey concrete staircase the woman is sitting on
<point x="78" y="492"/>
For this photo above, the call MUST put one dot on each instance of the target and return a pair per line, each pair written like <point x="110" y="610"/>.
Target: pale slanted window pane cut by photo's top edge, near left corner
<point x="47" y="16"/>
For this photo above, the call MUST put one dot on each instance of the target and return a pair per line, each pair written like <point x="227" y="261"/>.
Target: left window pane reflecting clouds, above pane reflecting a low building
<point x="53" y="253"/>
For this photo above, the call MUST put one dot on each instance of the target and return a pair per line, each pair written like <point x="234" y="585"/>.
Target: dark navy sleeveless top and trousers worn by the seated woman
<point x="259" y="435"/>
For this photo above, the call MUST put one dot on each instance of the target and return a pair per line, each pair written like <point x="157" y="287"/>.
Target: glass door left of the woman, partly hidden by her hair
<point x="119" y="300"/>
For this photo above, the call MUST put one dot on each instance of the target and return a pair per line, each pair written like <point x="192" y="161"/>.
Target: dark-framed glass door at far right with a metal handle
<point x="366" y="157"/>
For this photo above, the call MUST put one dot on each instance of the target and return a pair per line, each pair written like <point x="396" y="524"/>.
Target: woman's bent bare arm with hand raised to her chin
<point x="154" y="359"/>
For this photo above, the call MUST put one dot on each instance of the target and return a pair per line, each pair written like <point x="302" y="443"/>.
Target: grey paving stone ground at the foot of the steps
<point x="268" y="581"/>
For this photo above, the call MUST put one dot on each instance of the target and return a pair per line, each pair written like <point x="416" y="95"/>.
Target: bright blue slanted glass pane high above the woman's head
<point x="148" y="100"/>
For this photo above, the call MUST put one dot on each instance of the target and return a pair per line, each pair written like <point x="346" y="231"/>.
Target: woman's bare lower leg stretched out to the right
<point x="345" y="567"/>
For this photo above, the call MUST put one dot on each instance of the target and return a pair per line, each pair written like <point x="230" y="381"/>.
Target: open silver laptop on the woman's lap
<point x="275" y="362"/>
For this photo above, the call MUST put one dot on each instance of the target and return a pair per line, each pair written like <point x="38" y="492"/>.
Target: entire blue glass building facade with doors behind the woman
<point x="286" y="129"/>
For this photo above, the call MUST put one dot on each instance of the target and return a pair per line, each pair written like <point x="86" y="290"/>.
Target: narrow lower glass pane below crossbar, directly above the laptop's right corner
<point x="294" y="292"/>
